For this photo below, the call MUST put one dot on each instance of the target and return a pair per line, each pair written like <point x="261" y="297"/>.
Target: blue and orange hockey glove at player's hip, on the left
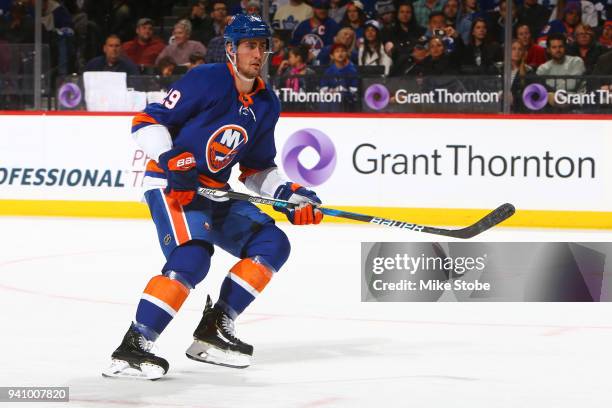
<point x="181" y="173"/>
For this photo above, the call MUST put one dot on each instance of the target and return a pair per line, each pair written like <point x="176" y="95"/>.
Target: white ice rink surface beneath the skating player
<point x="69" y="288"/>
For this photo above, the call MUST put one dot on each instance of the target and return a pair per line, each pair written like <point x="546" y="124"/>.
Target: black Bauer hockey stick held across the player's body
<point x="490" y="220"/>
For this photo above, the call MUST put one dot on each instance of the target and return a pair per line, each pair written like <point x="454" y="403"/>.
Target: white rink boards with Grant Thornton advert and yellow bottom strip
<point x="443" y="170"/>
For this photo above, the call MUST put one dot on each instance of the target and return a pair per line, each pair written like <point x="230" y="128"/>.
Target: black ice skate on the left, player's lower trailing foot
<point x="133" y="359"/>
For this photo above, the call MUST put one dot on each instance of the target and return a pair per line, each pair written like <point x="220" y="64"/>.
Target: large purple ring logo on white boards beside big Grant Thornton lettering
<point x="324" y="147"/>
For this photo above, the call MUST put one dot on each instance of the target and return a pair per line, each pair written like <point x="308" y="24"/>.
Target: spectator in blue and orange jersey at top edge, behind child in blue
<point x="317" y="31"/>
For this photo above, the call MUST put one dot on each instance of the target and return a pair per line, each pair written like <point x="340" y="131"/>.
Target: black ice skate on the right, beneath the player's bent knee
<point x="215" y="341"/>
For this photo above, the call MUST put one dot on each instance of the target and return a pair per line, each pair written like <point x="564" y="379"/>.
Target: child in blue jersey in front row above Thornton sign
<point x="341" y="76"/>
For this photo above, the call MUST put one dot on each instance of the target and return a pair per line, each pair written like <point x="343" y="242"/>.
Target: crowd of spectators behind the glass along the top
<point x="332" y="37"/>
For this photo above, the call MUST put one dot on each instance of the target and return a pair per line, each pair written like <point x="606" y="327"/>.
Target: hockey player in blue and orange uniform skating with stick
<point x="216" y="116"/>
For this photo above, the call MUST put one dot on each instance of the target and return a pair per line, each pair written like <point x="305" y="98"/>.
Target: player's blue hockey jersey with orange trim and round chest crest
<point x="207" y="116"/>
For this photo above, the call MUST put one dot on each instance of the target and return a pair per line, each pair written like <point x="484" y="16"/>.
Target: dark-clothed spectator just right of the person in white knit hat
<point x="401" y="37"/>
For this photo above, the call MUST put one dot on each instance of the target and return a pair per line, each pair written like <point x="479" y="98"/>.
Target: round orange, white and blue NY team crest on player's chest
<point x="223" y="145"/>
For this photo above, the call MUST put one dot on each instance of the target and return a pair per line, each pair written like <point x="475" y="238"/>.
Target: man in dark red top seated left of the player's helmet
<point x="144" y="48"/>
